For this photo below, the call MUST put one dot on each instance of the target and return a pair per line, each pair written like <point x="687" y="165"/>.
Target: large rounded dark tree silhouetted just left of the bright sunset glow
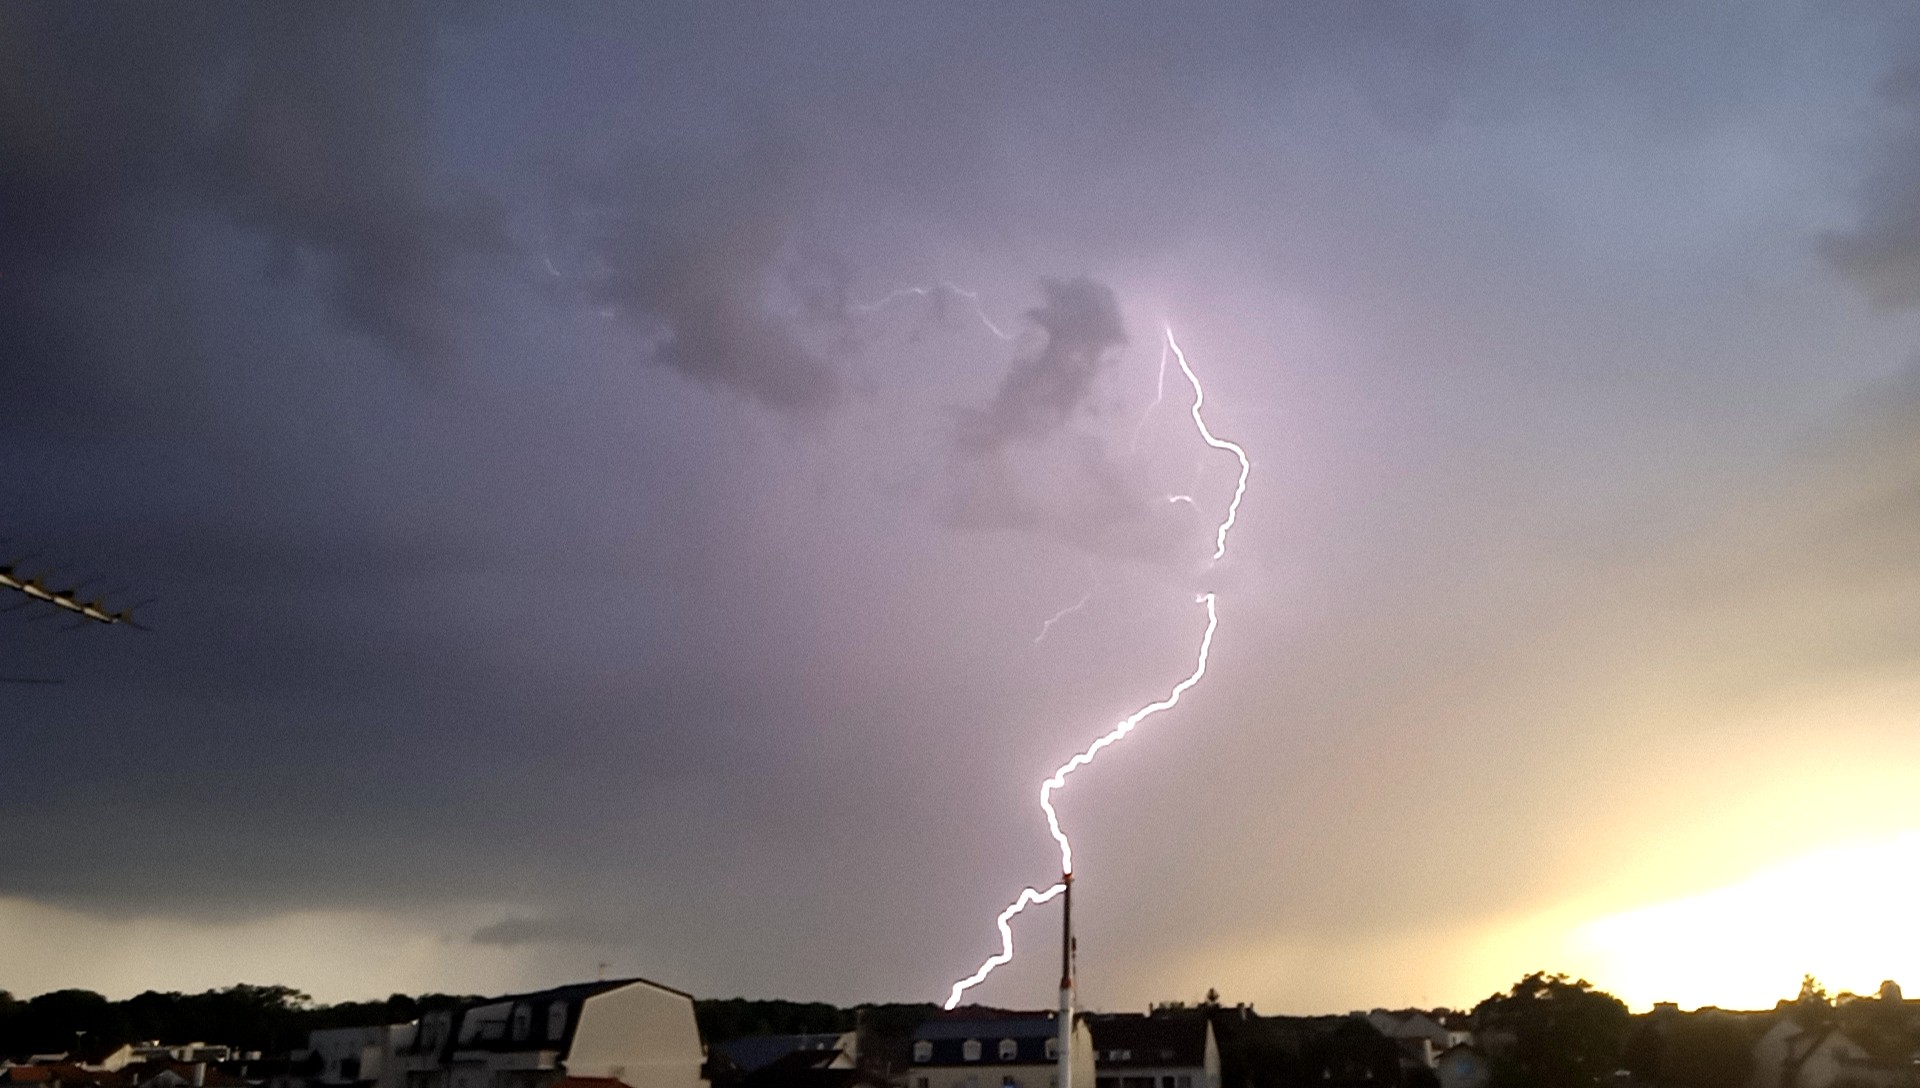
<point x="1552" y="1033"/>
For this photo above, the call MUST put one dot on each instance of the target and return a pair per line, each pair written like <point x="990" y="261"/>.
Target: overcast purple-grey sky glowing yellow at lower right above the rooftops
<point x="604" y="477"/>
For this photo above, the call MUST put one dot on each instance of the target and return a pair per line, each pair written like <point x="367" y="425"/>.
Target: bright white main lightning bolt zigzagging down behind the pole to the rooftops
<point x="1030" y="897"/>
